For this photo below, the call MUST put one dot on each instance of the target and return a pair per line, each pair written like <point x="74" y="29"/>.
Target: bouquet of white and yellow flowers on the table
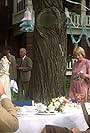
<point x="57" y="104"/>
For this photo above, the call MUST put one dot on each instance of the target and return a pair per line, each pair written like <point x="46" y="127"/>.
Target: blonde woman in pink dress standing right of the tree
<point x="80" y="75"/>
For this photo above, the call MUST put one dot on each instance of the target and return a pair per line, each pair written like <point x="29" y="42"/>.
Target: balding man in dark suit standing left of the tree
<point x="24" y="66"/>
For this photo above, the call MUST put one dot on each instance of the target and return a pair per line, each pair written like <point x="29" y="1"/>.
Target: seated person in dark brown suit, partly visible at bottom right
<point x="57" y="129"/>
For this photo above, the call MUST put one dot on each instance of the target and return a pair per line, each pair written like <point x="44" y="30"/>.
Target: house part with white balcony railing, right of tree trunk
<point x="78" y="29"/>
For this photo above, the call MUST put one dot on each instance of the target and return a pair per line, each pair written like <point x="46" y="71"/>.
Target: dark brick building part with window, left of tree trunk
<point x="11" y="13"/>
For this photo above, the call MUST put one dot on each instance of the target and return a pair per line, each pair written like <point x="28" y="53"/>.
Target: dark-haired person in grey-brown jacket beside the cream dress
<point x="12" y="60"/>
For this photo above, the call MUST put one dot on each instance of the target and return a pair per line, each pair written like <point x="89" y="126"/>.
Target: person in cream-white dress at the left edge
<point x="4" y="73"/>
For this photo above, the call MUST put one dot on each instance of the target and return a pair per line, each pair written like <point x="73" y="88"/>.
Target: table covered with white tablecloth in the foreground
<point x="32" y="123"/>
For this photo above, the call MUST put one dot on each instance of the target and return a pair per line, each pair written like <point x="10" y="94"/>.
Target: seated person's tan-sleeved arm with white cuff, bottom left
<point x="8" y="116"/>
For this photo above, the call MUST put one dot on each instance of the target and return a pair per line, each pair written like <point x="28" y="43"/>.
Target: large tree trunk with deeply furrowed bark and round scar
<point x="49" y="50"/>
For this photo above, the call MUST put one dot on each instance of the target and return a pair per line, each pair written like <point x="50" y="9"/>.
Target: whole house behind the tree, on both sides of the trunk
<point x="12" y="12"/>
